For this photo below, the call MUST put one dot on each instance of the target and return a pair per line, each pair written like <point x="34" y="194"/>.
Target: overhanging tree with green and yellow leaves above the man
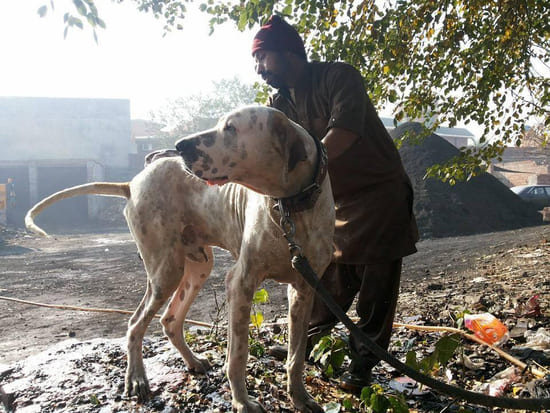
<point x="482" y="61"/>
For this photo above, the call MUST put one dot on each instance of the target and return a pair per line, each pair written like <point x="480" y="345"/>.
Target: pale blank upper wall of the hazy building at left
<point x="48" y="128"/>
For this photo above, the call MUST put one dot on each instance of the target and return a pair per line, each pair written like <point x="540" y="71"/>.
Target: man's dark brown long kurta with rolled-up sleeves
<point x="372" y="192"/>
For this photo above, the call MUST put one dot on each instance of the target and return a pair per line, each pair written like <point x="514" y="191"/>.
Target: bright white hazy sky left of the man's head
<point x="132" y="59"/>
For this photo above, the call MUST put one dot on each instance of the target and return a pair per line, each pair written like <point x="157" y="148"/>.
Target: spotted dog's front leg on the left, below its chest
<point x="240" y="288"/>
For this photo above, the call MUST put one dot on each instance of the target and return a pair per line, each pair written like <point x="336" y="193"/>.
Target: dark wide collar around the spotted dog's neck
<point x="306" y="198"/>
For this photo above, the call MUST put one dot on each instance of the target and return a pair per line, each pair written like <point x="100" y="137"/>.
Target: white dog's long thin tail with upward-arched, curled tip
<point x="121" y="189"/>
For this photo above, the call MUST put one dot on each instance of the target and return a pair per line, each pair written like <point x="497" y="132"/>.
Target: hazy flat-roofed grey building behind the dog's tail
<point x="53" y="143"/>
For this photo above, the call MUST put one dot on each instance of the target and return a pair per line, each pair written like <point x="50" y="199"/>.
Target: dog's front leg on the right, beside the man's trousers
<point x="300" y="300"/>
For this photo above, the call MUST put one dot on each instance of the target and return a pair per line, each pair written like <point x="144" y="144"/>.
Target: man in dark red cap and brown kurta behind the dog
<point x="375" y="225"/>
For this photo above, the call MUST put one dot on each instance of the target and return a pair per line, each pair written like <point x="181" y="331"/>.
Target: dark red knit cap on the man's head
<point x="278" y="36"/>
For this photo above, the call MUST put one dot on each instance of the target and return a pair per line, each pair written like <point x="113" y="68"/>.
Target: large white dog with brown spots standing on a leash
<point x="176" y="217"/>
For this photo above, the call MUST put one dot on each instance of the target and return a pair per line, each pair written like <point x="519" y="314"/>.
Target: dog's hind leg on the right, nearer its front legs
<point x="173" y="319"/>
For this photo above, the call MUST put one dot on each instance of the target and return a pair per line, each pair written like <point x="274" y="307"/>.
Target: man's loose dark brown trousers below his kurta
<point x="378" y="288"/>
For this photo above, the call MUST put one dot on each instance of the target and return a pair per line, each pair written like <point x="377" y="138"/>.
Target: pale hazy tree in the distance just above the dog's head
<point x="188" y="114"/>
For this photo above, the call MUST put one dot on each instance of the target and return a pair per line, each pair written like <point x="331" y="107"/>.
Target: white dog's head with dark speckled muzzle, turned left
<point x="256" y="146"/>
